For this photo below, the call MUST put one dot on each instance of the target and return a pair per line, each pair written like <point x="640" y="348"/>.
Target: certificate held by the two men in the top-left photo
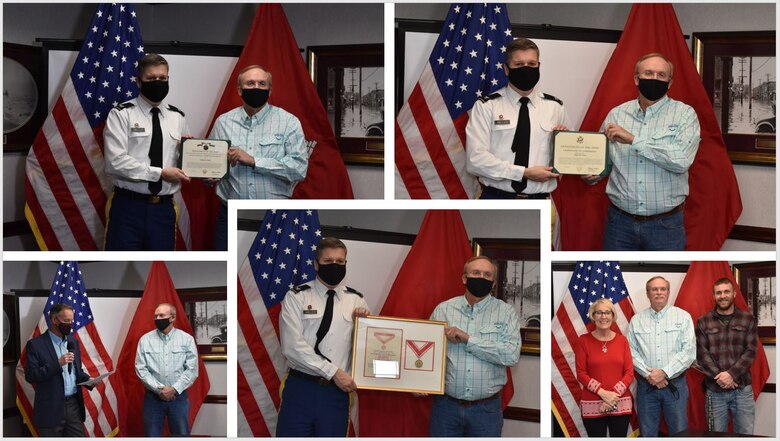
<point x="204" y="158"/>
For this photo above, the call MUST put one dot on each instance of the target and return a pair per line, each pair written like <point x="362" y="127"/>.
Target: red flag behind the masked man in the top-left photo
<point x="271" y="44"/>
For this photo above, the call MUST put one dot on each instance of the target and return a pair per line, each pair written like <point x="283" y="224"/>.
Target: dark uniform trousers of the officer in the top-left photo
<point x="139" y="222"/>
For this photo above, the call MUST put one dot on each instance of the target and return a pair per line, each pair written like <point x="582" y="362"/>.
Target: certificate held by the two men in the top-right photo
<point x="579" y="153"/>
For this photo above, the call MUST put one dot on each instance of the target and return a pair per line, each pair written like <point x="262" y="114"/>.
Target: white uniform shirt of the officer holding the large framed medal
<point x="302" y="312"/>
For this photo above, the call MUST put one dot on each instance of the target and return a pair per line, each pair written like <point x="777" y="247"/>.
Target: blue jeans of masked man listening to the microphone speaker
<point x="177" y="411"/>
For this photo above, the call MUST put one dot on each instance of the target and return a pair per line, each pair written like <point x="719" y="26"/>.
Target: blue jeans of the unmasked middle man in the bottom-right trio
<point x="651" y="402"/>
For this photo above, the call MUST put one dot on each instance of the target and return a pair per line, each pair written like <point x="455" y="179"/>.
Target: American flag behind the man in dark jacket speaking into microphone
<point x="100" y="403"/>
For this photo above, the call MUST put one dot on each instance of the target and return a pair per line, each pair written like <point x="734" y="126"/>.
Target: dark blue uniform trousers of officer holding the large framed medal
<point x="311" y="409"/>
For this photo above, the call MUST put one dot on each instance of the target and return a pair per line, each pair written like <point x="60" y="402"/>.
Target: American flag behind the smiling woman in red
<point x="590" y="281"/>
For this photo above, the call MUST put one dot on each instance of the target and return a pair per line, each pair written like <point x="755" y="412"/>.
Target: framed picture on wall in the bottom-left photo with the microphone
<point x="206" y="310"/>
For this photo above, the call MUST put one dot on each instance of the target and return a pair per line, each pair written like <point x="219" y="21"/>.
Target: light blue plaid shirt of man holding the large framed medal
<point x="477" y="369"/>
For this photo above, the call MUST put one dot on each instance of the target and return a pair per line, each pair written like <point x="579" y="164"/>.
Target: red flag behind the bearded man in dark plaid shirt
<point x="696" y="297"/>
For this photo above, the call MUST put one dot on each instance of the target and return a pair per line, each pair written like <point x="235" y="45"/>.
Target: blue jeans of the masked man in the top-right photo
<point x="624" y="233"/>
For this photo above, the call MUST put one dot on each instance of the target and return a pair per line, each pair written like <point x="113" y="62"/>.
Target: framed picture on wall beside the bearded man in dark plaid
<point x="758" y="283"/>
